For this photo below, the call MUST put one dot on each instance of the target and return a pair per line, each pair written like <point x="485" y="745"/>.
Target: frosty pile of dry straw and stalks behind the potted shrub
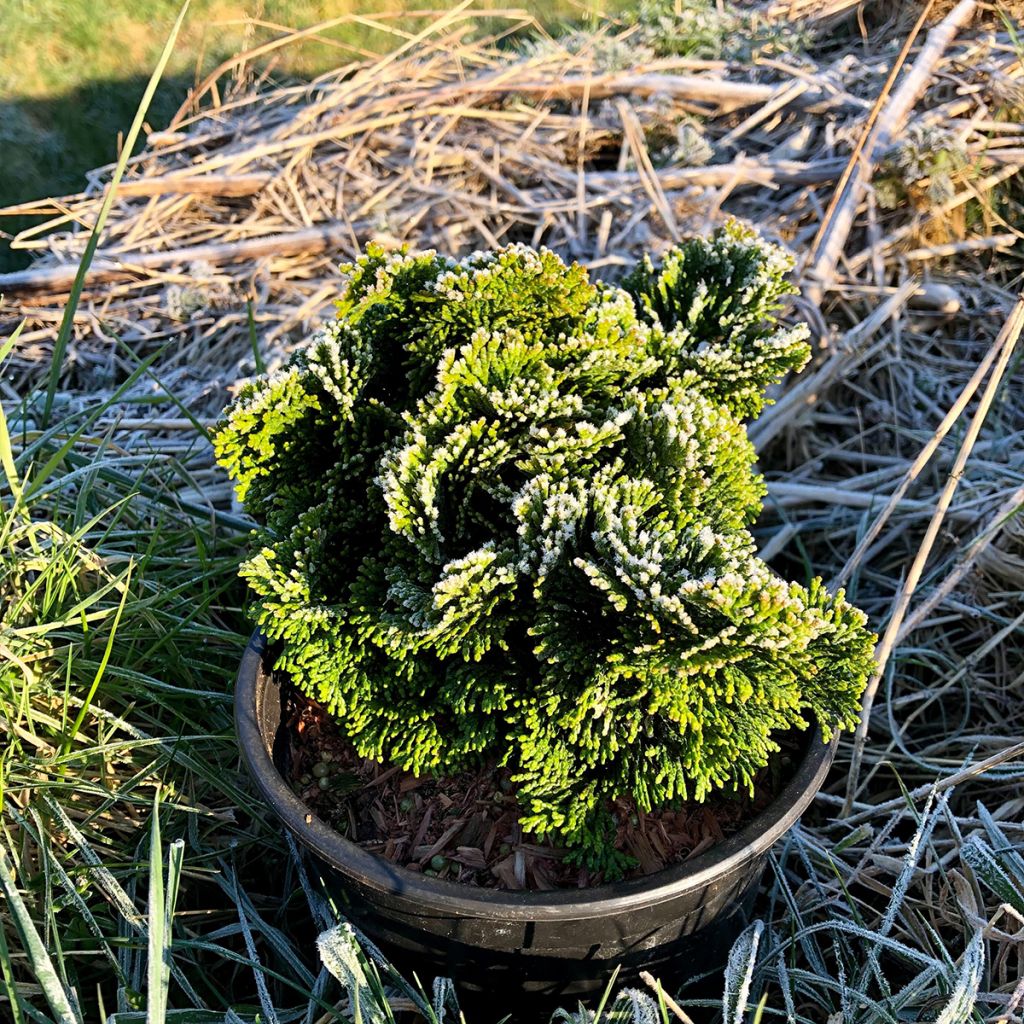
<point x="897" y="461"/>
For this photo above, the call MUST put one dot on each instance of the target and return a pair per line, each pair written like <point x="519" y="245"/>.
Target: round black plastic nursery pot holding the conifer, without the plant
<point x="524" y="954"/>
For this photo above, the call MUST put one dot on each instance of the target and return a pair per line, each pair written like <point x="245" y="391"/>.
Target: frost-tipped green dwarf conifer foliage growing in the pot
<point x="504" y="514"/>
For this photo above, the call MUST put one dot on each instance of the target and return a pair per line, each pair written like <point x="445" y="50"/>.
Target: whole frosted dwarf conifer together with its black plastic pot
<point x="503" y="535"/>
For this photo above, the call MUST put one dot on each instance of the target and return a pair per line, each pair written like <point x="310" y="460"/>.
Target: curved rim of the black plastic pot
<point x="372" y="872"/>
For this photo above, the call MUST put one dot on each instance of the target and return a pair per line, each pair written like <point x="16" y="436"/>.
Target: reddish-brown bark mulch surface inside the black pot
<point x="466" y="829"/>
